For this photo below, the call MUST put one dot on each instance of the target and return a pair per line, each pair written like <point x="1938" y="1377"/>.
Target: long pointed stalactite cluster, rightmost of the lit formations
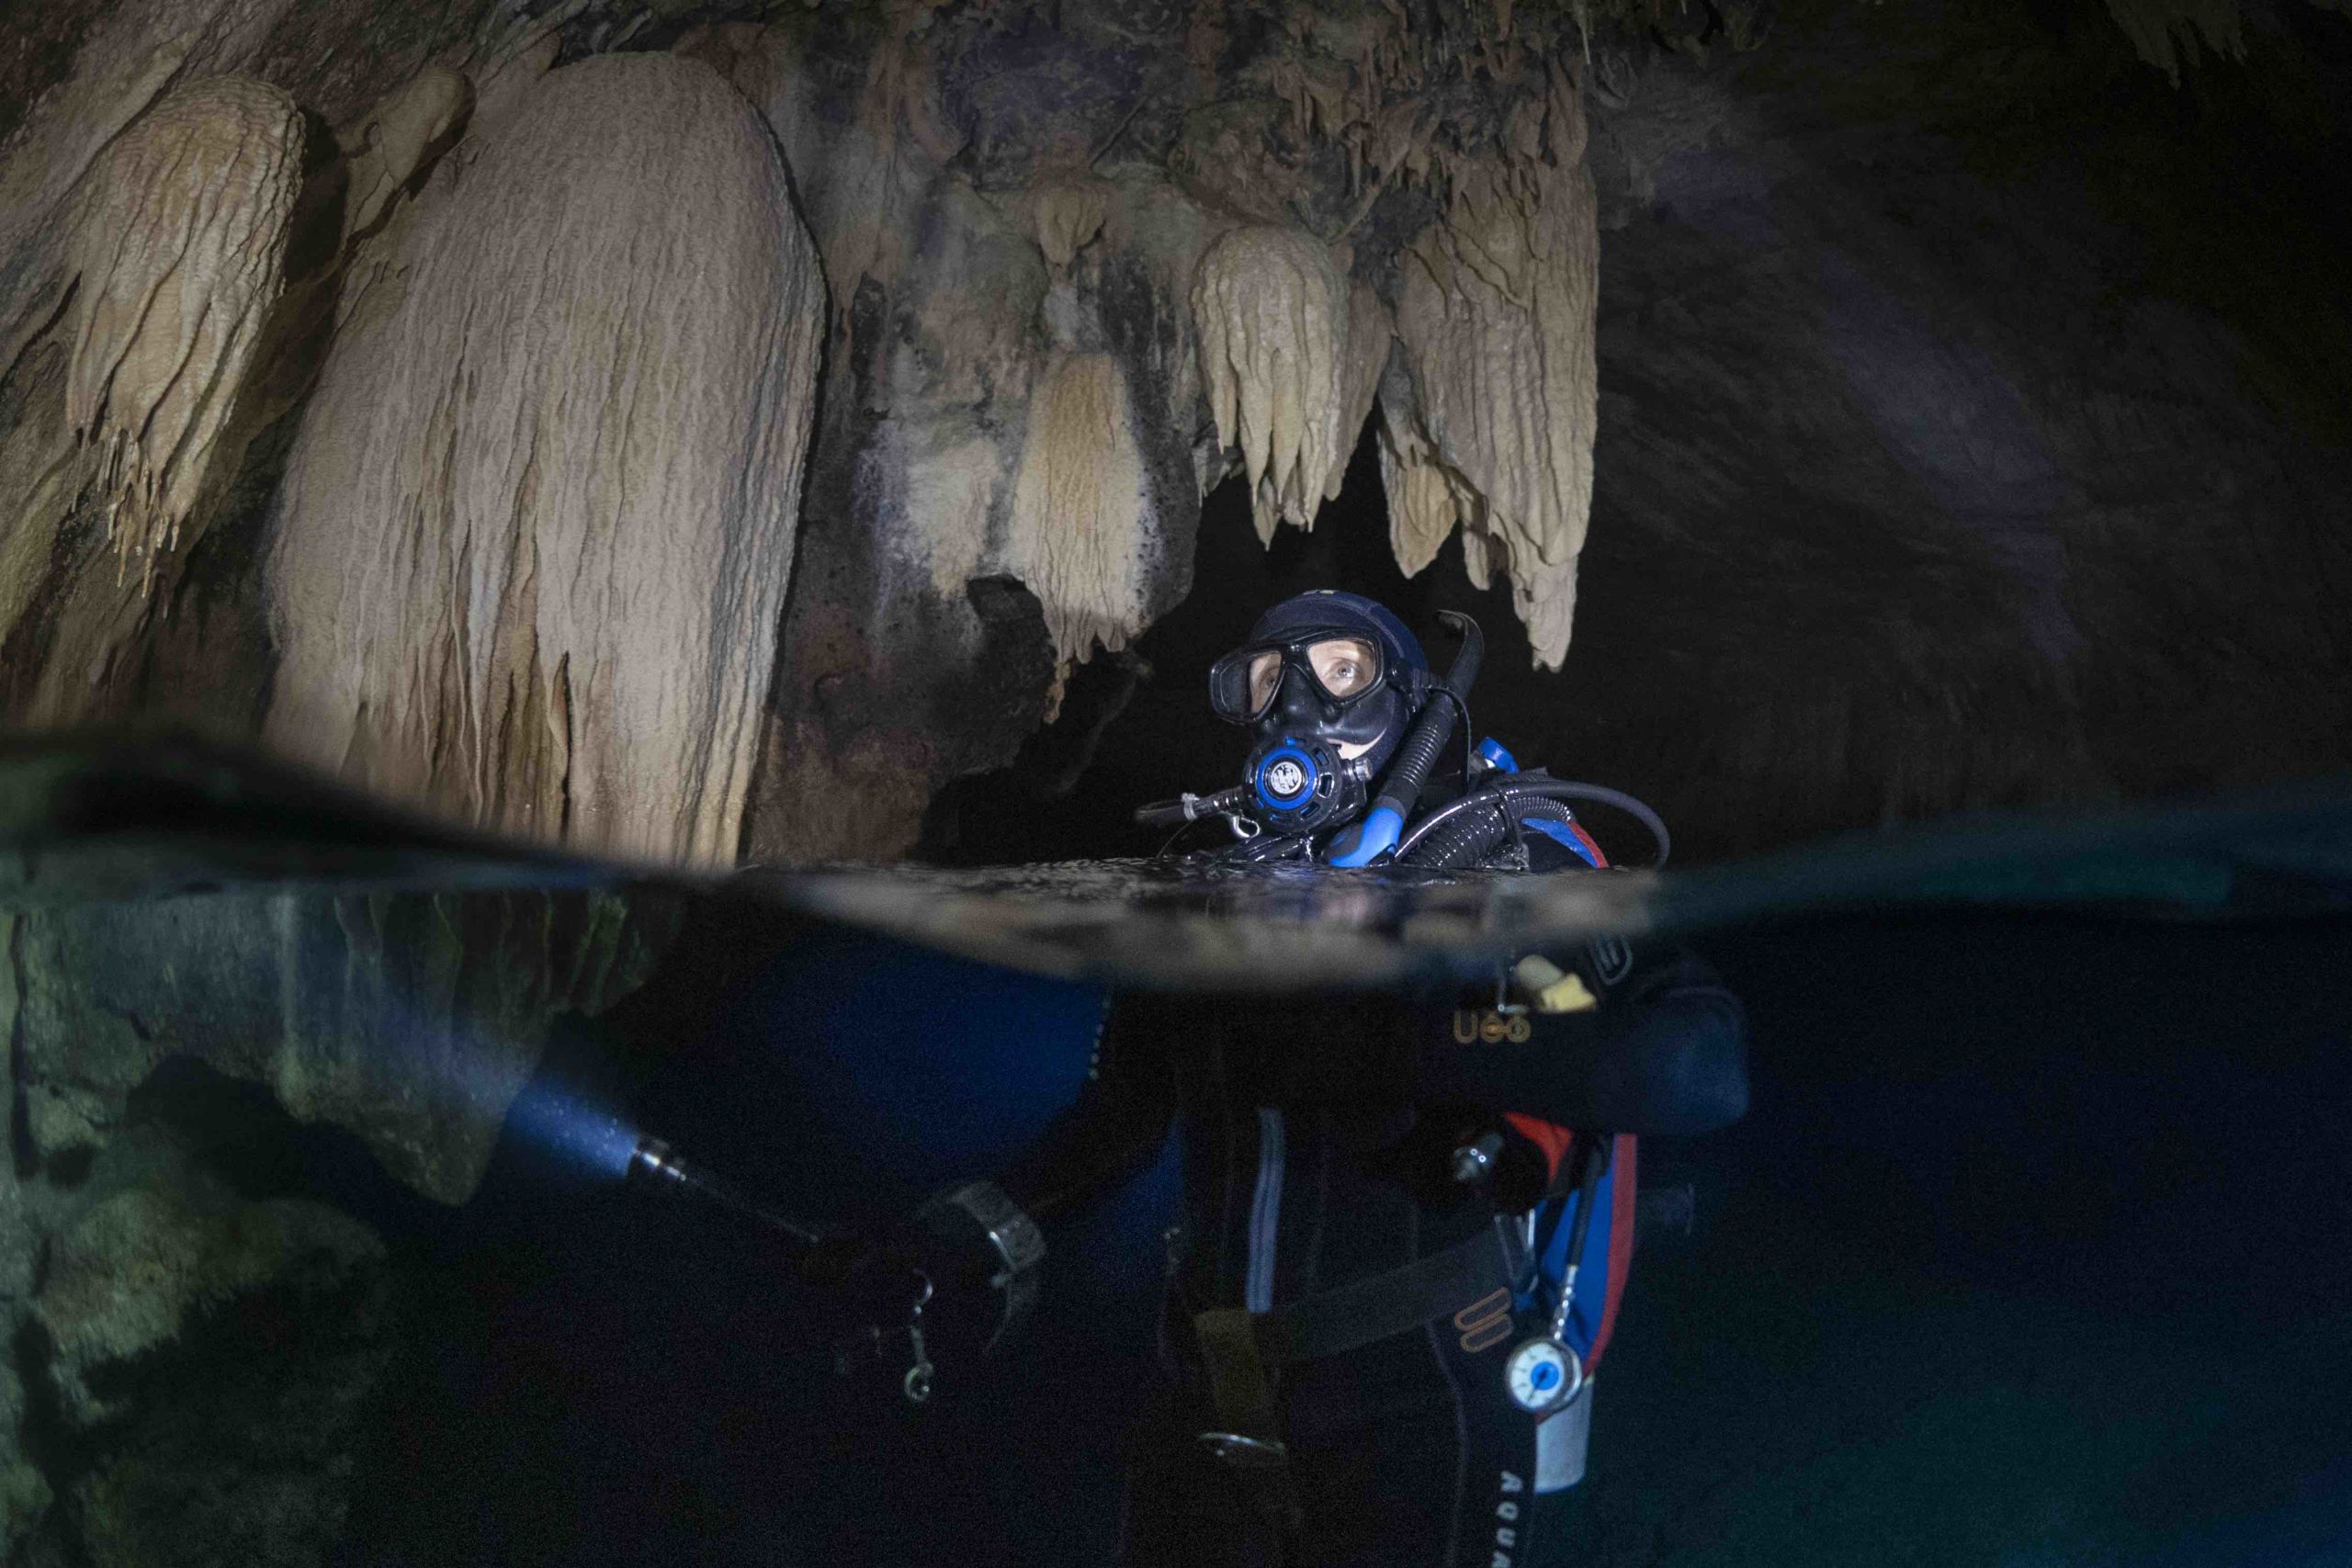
<point x="1497" y="323"/>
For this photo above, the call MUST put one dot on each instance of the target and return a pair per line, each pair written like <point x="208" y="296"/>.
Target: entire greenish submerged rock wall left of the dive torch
<point x="194" y="1360"/>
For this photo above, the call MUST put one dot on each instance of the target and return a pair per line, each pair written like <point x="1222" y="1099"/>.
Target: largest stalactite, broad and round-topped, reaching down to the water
<point x="537" y="528"/>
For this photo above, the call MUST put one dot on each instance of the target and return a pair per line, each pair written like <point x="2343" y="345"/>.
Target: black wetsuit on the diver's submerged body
<point x="1316" y="1153"/>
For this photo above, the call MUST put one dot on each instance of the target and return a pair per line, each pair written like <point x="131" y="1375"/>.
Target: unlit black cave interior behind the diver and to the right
<point x="1965" y="445"/>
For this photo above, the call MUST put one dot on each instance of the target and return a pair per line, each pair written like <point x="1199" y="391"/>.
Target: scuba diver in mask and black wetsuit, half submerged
<point x="1408" y="1219"/>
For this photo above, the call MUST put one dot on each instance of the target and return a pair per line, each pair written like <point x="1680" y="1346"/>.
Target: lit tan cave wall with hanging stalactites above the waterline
<point x="1078" y="267"/>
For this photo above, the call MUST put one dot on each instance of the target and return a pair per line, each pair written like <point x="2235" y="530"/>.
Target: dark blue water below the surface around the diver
<point x="2031" y="1252"/>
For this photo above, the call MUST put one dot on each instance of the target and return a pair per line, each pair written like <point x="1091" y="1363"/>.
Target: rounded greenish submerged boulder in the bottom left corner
<point x="215" y="1362"/>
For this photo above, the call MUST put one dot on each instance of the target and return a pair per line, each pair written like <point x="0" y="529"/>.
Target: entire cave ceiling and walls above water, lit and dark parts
<point x="709" y="431"/>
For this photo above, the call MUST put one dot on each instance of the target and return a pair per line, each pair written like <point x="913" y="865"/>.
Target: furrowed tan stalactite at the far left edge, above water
<point x="126" y="410"/>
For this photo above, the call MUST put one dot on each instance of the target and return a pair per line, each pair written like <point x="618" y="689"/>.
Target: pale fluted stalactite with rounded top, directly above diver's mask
<point x="1271" y="314"/>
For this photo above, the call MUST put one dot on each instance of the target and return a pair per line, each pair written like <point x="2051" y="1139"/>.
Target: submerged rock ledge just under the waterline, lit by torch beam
<point x="410" y="1019"/>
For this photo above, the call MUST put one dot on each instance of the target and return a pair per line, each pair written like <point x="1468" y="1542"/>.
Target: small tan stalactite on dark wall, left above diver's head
<point x="1078" y="518"/>
